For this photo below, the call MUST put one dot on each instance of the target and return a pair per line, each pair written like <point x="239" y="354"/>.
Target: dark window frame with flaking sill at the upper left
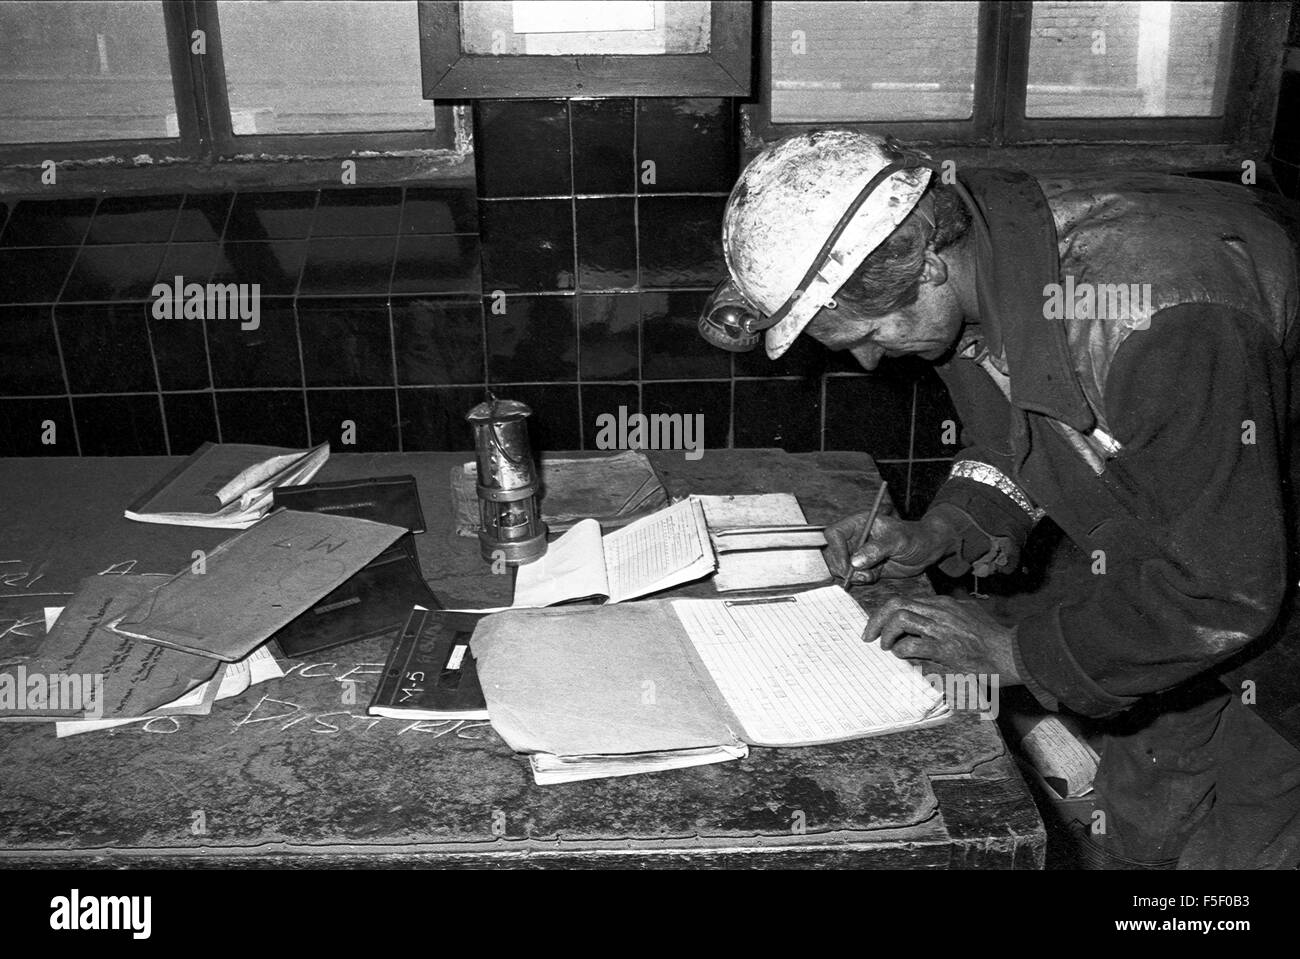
<point x="207" y="138"/>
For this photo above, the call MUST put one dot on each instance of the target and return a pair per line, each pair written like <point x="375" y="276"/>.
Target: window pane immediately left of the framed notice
<point x="294" y="68"/>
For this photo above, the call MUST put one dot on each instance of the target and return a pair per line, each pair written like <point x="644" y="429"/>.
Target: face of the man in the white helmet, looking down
<point x="929" y="328"/>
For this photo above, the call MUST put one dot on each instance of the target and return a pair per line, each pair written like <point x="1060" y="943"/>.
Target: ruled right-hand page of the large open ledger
<point x="795" y="670"/>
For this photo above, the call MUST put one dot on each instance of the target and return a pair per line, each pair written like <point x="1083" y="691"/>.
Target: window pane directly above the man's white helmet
<point x="842" y="62"/>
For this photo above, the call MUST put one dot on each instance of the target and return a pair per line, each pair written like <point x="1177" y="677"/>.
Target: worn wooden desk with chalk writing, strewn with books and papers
<point x="294" y="774"/>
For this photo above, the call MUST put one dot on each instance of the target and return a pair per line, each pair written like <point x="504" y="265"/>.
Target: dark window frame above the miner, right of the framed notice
<point x="999" y="118"/>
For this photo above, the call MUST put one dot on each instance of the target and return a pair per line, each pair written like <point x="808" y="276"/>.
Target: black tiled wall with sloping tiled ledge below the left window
<point x="366" y="297"/>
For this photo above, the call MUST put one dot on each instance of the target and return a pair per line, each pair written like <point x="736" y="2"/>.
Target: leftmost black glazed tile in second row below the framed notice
<point x="527" y="245"/>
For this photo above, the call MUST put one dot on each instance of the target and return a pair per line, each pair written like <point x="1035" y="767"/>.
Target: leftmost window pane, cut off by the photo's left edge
<point x="84" y="72"/>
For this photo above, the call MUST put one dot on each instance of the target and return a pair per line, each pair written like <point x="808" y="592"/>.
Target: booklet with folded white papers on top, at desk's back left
<point x="227" y="485"/>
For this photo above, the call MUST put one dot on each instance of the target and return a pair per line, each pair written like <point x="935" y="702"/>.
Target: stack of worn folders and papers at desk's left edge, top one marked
<point x="133" y="648"/>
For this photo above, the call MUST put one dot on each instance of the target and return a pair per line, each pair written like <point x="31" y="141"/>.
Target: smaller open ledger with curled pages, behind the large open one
<point x="674" y="546"/>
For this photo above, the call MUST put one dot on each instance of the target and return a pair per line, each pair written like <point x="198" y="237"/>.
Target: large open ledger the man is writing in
<point x="614" y="691"/>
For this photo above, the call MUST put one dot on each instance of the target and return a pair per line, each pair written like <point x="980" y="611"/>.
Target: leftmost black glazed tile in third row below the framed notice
<point x="535" y="340"/>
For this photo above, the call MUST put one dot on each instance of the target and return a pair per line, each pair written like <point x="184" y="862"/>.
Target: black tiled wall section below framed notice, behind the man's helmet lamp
<point x="603" y="225"/>
